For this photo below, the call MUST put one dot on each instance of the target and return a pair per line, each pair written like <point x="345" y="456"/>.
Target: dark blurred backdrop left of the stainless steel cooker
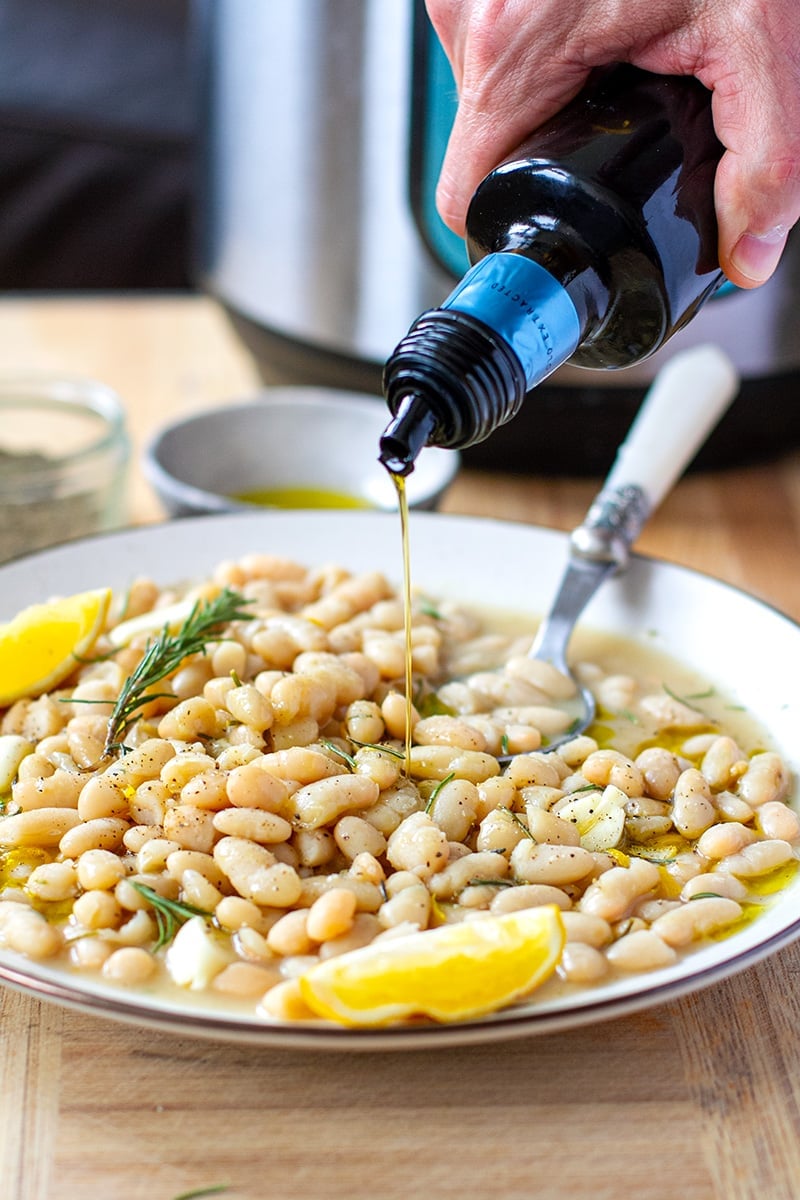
<point x="98" y="125"/>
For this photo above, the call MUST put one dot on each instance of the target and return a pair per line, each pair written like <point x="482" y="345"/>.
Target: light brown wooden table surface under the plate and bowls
<point x="697" y="1100"/>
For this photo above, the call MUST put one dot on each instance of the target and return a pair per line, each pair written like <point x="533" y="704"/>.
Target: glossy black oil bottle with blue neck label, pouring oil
<point x="593" y="244"/>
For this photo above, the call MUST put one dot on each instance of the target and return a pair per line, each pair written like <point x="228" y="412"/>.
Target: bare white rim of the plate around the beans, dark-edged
<point x="744" y="647"/>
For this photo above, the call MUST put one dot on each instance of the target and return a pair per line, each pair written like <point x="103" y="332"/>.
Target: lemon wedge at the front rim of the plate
<point x="450" y="974"/>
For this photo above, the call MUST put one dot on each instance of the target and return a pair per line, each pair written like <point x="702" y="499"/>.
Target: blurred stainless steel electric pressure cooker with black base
<point x="324" y="128"/>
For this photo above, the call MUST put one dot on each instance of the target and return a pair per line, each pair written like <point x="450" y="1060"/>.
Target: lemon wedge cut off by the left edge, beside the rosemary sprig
<point x="40" y="645"/>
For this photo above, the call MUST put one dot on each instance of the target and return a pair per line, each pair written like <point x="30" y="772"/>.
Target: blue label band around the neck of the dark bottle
<point x="526" y="307"/>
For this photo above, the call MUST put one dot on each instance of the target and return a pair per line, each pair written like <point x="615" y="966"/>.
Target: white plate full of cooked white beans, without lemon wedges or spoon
<point x="291" y="790"/>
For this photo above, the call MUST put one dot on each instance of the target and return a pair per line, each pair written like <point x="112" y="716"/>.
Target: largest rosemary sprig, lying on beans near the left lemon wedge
<point x="165" y="653"/>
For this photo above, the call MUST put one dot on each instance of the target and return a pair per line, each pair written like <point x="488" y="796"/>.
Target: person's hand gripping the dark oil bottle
<point x="518" y="63"/>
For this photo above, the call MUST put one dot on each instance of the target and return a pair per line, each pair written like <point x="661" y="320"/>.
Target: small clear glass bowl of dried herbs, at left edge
<point x="64" y="455"/>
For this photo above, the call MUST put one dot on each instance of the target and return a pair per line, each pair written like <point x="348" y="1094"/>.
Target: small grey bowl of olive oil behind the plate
<point x="299" y="448"/>
